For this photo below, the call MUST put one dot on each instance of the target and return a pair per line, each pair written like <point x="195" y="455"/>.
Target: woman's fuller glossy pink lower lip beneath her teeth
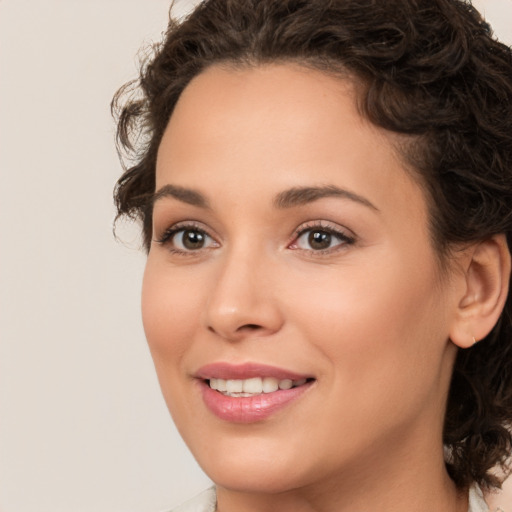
<point x="249" y="409"/>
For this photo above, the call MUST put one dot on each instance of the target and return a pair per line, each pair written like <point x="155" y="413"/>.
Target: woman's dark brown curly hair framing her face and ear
<point x="429" y="69"/>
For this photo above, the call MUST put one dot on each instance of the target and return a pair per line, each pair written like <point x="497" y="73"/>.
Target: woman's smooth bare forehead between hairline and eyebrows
<point x="281" y="125"/>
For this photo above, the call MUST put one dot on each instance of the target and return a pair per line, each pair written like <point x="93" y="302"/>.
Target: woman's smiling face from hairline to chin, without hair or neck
<point x="290" y="244"/>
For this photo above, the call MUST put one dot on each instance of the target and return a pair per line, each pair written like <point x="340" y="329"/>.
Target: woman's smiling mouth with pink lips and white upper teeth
<point x="250" y="392"/>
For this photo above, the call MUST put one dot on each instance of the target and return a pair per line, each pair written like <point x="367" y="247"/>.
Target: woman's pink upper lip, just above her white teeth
<point x="222" y="370"/>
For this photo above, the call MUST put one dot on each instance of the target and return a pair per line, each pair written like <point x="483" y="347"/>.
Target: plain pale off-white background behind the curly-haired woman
<point x="83" y="426"/>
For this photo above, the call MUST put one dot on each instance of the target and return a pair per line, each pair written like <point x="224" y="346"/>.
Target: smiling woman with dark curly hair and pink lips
<point x="325" y="190"/>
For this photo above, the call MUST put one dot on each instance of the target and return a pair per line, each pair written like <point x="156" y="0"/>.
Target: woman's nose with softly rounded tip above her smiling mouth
<point x="243" y="300"/>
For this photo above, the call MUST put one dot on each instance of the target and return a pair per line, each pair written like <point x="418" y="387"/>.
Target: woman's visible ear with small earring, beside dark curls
<point x="486" y="276"/>
